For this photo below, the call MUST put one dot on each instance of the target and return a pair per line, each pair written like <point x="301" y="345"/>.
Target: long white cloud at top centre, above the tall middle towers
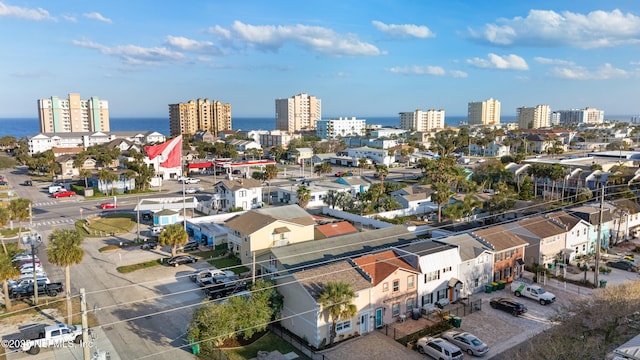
<point x="314" y="38"/>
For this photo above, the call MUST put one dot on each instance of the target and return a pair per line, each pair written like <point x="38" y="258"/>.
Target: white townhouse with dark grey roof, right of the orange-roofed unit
<point x="438" y="264"/>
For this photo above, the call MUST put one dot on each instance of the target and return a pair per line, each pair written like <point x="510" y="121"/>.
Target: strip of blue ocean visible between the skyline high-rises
<point x="24" y="127"/>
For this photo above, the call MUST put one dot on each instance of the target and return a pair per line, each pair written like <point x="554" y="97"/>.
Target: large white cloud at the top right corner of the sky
<point x="547" y="28"/>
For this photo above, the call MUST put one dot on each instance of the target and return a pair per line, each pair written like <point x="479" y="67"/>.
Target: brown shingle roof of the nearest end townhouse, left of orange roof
<point x="315" y="279"/>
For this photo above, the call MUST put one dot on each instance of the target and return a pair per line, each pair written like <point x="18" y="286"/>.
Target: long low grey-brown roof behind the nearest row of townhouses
<point x="314" y="253"/>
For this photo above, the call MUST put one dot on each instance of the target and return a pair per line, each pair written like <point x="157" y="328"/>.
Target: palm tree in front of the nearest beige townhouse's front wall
<point x="336" y="299"/>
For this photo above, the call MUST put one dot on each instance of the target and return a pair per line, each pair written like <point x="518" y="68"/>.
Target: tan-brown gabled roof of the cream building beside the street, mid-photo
<point x="254" y="220"/>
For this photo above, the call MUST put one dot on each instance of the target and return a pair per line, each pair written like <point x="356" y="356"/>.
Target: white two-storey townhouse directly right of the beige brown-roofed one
<point x="577" y="234"/>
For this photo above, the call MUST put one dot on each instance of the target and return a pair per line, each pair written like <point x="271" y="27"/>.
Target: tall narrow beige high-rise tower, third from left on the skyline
<point x="300" y="112"/>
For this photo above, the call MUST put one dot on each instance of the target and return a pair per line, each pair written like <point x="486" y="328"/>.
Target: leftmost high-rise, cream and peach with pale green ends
<point x="73" y="115"/>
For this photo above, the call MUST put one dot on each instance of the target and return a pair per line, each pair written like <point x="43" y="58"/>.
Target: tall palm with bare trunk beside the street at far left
<point x="64" y="250"/>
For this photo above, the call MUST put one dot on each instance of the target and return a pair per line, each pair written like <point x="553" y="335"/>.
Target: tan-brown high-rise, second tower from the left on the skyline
<point x="187" y="118"/>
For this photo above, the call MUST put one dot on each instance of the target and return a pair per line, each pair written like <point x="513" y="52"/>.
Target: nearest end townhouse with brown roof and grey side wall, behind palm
<point x="304" y="316"/>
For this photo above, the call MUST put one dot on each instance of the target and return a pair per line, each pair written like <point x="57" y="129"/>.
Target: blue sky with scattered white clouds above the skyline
<point x="362" y="58"/>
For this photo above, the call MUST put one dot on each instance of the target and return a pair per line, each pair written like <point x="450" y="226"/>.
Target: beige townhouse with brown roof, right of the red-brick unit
<point x="546" y="237"/>
